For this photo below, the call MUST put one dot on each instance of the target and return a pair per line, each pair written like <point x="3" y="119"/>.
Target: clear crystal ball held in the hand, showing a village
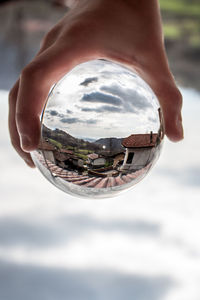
<point x="101" y="130"/>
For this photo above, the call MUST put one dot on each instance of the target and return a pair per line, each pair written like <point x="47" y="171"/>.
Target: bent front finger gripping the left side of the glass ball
<point x="35" y="82"/>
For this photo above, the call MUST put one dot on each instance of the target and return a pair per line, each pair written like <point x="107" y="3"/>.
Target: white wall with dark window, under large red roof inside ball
<point x="141" y="158"/>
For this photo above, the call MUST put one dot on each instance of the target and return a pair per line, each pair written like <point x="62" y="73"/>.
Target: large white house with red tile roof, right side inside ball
<point x="140" y="150"/>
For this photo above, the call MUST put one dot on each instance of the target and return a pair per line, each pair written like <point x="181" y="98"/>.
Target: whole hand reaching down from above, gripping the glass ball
<point x="124" y="31"/>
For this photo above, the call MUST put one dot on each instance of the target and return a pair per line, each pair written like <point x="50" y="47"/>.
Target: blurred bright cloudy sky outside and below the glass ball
<point x="143" y="244"/>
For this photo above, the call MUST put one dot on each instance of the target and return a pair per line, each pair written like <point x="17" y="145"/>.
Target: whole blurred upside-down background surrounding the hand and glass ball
<point x="143" y="244"/>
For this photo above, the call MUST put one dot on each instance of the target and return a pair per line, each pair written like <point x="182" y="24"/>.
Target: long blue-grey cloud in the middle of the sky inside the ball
<point x="98" y="97"/>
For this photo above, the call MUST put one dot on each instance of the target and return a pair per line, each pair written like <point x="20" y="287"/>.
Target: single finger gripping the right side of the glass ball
<point x="157" y="74"/>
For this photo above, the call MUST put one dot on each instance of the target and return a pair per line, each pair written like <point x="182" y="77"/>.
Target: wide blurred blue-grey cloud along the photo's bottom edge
<point x="31" y="281"/>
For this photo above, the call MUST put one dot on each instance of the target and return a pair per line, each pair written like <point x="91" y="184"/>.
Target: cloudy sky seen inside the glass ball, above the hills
<point x="98" y="99"/>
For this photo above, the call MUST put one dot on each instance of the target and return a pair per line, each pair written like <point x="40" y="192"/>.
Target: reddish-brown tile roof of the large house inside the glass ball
<point x="140" y="140"/>
